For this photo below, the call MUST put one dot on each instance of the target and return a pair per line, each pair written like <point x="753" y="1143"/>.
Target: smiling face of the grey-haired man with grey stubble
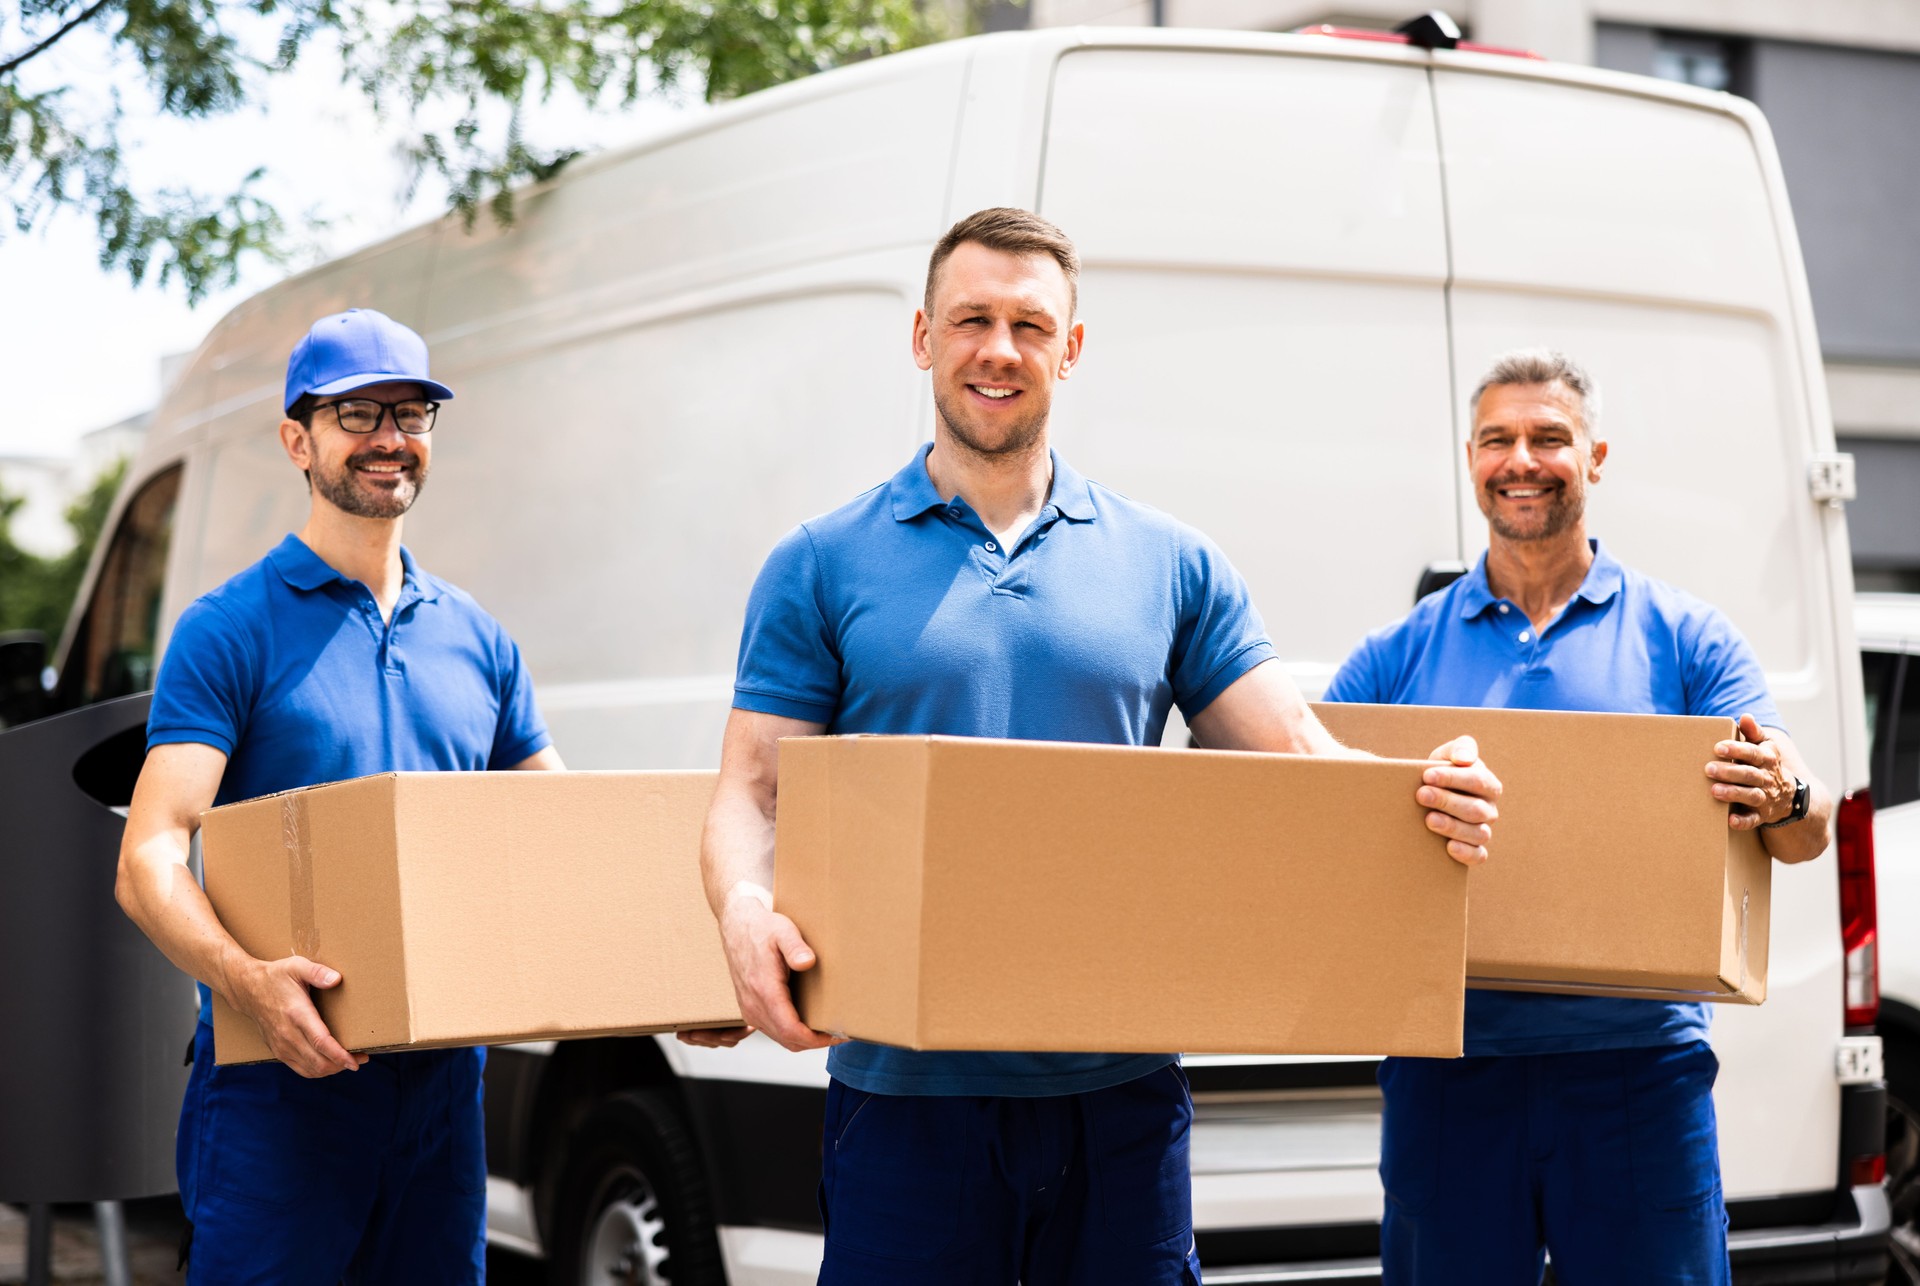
<point x="1533" y="462"/>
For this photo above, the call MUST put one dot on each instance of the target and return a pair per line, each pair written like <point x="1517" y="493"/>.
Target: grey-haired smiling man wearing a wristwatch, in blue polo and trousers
<point x="1577" y="1126"/>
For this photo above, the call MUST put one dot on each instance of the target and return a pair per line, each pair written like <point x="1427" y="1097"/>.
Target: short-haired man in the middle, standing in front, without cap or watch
<point x="992" y="592"/>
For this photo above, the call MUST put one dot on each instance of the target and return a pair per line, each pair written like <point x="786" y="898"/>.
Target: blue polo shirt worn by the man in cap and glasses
<point x="291" y="671"/>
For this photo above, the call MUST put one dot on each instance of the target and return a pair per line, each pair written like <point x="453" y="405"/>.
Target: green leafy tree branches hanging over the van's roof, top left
<point x="487" y="62"/>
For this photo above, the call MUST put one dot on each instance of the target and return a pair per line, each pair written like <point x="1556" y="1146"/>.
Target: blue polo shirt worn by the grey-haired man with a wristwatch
<point x="1625" y="644"/>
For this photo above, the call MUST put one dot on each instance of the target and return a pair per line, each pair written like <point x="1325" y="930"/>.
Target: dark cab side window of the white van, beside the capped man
<point x="112" y="652"/>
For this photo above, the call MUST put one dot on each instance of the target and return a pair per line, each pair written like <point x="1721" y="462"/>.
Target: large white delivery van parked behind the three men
<point x="1301" y="252"/>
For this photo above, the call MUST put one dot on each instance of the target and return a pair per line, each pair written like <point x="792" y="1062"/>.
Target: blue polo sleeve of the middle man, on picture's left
<point x="788" y="663"/>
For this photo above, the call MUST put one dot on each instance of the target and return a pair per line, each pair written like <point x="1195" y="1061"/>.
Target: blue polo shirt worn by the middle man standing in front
<point x="901" y="613"/>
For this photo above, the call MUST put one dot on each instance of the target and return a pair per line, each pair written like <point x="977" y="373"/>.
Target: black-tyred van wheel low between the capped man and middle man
<point x="635" y="1204"/>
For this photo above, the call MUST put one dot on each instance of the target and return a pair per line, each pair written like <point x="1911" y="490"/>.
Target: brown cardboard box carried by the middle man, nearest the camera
<point x="1020" y="895"/>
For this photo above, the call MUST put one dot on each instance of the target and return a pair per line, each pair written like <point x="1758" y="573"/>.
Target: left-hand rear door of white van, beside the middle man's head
<point x="1264" y="270"/>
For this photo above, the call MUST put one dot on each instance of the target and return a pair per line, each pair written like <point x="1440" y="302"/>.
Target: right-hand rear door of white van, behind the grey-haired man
<point x="1639" y="237"/>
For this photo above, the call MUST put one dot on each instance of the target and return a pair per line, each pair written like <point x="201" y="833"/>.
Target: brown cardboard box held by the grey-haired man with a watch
<point x="1612" y="870"/>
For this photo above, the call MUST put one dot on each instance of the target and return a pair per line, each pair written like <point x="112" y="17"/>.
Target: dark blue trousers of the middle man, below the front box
<point x="1067" y="1191"/>
